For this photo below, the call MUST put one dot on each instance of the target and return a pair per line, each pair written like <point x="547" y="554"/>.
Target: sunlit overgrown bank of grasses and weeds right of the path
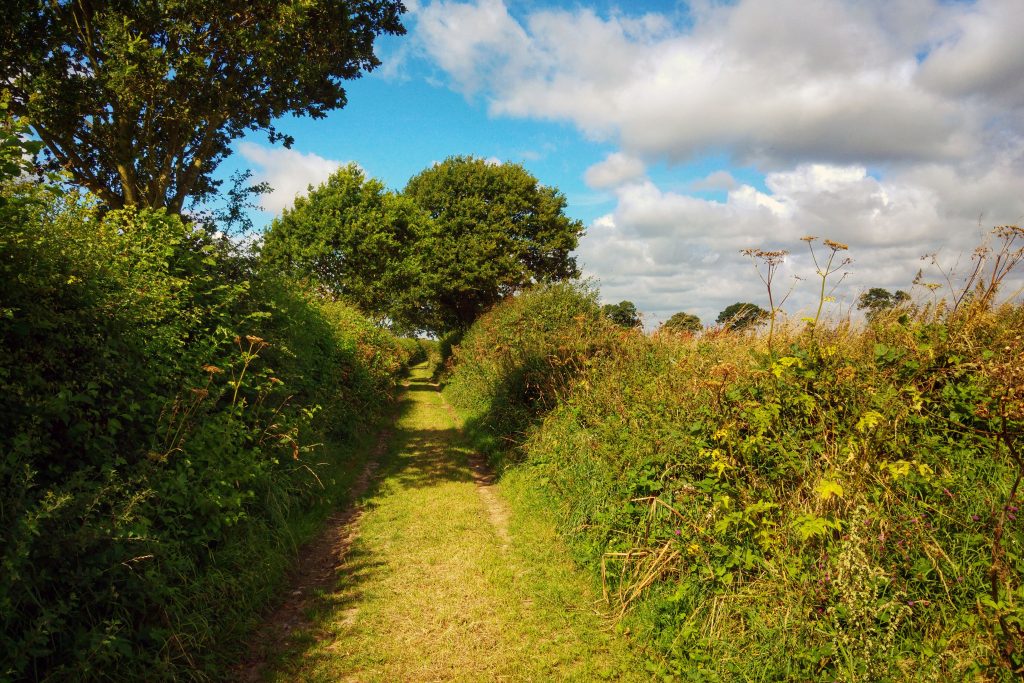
<point x="841" y="506"/>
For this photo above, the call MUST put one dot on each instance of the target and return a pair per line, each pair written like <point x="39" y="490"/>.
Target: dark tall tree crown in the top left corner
<point x="139" y="100"/>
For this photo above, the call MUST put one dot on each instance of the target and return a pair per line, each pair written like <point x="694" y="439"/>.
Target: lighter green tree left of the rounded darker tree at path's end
<point x="357" y="240"/>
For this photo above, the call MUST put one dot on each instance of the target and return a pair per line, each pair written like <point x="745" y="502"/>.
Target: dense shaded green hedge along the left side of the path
<point x="158" y="405"/>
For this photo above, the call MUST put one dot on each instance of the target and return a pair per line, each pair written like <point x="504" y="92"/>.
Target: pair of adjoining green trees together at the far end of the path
<point x="464" y="235"/>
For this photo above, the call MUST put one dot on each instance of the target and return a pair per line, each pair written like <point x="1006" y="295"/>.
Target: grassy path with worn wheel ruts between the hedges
<point x="438" y="579"/>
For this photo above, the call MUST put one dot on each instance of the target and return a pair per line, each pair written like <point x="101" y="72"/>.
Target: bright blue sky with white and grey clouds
<point x="684" y="134"/>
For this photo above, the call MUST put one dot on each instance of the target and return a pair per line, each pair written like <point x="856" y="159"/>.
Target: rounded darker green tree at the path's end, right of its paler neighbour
<point x="497" y="231"/>
